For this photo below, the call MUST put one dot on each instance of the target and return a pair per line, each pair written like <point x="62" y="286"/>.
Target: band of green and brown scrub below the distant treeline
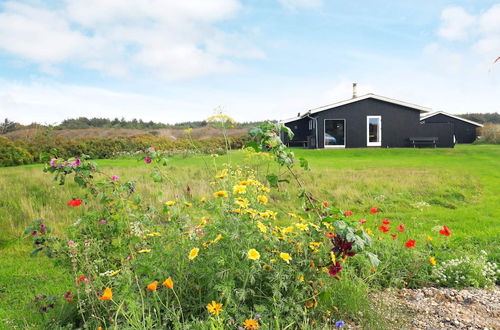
<point x="26" y="151"/>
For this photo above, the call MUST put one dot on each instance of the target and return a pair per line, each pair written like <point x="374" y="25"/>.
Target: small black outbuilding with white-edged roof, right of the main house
<point x="465" y="131"/>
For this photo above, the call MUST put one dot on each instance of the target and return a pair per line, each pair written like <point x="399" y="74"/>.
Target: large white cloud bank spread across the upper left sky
<point x="173" y="39"/>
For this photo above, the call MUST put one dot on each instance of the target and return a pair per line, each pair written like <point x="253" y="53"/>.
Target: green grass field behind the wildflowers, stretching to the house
<point x="421" y="187"/>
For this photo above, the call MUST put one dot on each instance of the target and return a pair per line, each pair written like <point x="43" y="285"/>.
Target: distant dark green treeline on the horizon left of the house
<point x="84" y="122"/>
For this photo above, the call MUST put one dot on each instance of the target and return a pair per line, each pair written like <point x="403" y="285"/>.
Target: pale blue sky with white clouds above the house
<point x="173" y="61"/>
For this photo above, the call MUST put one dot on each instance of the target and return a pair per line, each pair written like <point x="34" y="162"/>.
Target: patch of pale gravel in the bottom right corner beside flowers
<point x="444" y="308"/>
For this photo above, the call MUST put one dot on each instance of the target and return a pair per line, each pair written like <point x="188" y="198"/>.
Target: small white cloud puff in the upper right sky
<point x="456" y="23"/>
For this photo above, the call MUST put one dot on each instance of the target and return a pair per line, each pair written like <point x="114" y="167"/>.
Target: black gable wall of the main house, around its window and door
<point x="398" y="123"/>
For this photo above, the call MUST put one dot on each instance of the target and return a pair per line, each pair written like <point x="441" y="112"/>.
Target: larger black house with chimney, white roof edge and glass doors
<point x="368" y="121"/>
